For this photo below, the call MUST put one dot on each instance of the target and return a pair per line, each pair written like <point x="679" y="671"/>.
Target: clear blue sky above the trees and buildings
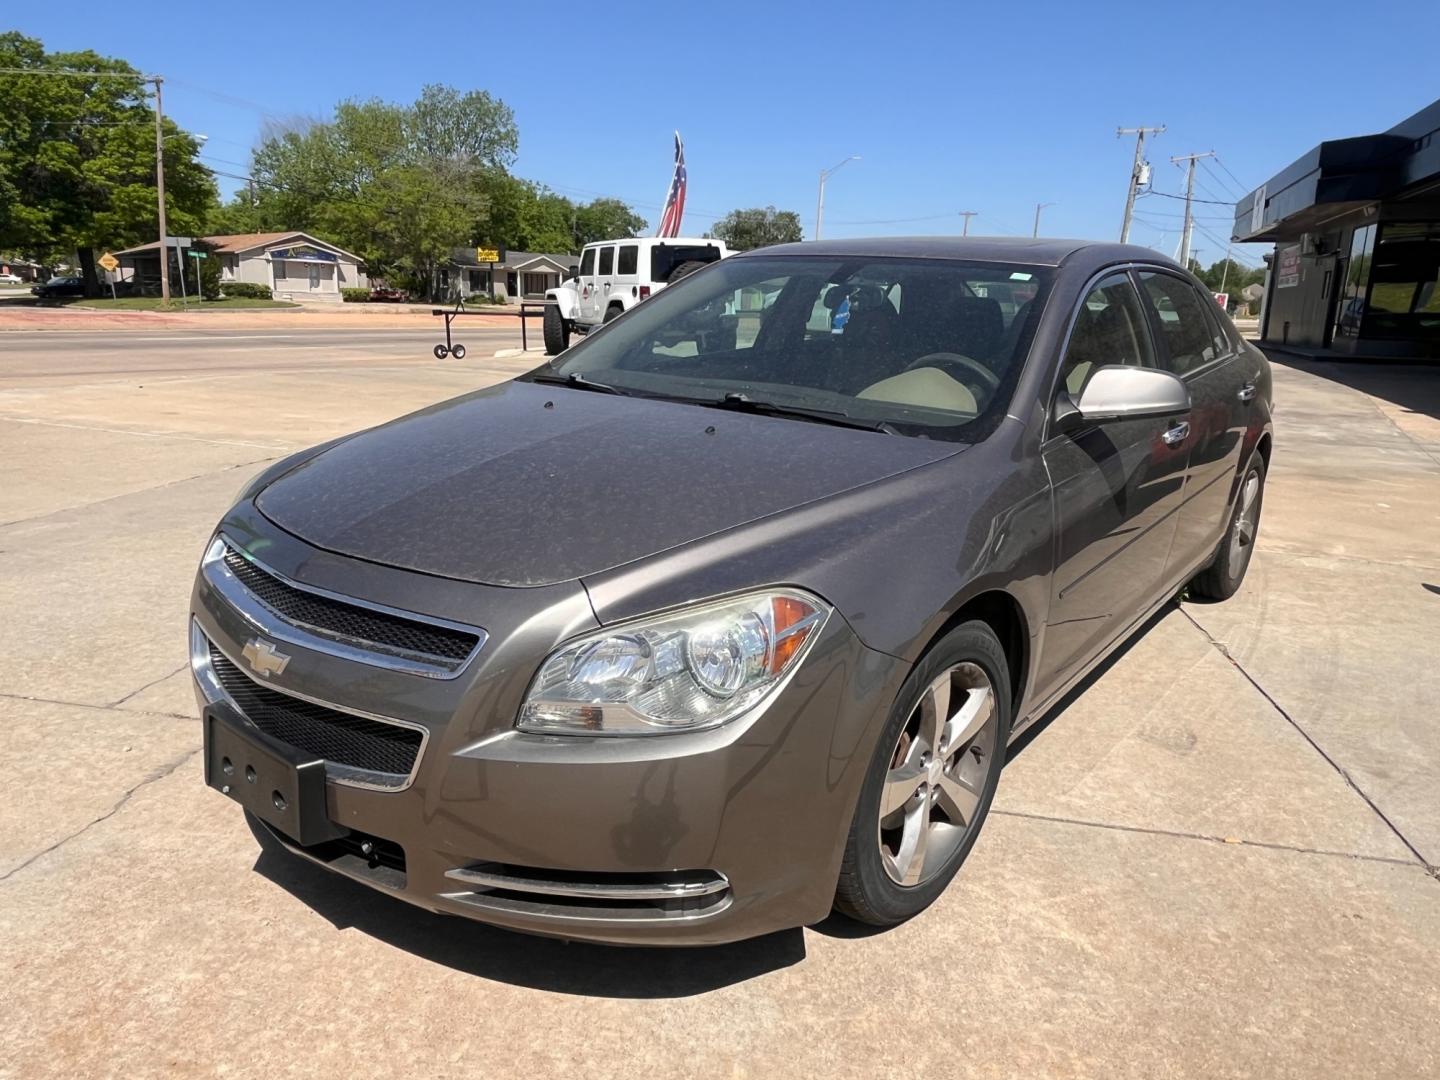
<point x="951" y="106"/>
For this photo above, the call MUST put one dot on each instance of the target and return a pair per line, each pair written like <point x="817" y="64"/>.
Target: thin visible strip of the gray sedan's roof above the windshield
<point x="1036" y="253"/>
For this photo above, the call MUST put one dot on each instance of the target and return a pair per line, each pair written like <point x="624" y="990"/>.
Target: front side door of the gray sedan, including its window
<point x="1115" y="490"/>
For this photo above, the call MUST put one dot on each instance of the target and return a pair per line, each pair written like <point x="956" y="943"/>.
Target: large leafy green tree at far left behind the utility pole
<point x="78" y="159"/>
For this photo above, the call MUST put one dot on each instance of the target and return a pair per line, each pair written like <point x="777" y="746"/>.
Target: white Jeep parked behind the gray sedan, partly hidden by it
<point x="614" y="277"/>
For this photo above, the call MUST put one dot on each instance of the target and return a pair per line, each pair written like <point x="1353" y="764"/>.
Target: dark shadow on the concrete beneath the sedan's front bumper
<point x="546" y="964"/>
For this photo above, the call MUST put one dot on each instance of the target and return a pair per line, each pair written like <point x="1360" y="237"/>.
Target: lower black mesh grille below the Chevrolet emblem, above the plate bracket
<point x="342" y="739"/>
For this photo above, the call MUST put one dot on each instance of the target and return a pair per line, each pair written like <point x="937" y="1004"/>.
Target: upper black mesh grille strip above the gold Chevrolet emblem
<point x="336" y="618"/>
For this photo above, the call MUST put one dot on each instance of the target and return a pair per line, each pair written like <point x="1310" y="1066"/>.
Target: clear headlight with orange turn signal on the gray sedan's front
<point x="675" y="673"/>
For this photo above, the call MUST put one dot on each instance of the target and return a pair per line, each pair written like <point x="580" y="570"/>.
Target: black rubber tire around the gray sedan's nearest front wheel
<point x="866" y="891"/>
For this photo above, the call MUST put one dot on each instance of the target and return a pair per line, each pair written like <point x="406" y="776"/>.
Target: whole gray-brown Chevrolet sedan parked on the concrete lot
<point x="725" y="617"/>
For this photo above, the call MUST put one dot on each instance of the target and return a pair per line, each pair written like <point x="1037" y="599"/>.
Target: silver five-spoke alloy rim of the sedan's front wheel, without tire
<point x="937" y="778"/>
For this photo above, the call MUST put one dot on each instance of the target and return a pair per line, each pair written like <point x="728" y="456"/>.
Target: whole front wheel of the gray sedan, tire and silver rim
<point x="931" y="781"/>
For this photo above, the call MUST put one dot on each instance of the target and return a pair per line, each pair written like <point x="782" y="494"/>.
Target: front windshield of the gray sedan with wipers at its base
<point x="914" y="346"/>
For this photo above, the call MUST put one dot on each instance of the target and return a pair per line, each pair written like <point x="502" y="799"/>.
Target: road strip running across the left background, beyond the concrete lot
<point x="48" y="355"/>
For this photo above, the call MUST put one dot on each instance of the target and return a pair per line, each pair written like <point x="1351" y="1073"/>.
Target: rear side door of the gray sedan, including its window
<point x="1194" y="346"/>
